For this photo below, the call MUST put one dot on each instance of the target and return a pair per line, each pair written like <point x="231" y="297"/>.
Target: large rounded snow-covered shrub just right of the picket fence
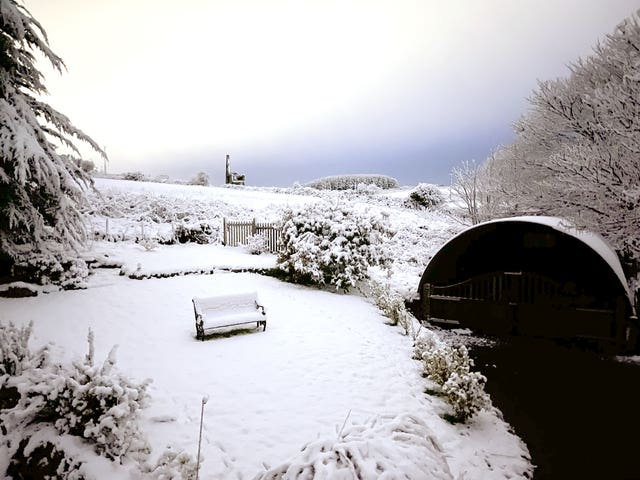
<point x="327" y="244"/>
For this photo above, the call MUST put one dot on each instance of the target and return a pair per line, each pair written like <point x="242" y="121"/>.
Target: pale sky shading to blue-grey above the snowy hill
<point x="296" y="90"/>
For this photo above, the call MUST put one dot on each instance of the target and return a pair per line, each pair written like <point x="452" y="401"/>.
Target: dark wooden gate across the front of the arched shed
<point x="525" y="303"/>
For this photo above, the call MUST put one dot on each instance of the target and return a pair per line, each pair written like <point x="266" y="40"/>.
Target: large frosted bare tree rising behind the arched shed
<point x="577" y="148"/>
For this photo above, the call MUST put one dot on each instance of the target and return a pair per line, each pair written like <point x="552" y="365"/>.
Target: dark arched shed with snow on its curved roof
<point x="535" y="276"/>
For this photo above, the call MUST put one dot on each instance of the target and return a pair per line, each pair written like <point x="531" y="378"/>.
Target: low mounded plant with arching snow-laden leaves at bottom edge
<point x="381" y="448"/>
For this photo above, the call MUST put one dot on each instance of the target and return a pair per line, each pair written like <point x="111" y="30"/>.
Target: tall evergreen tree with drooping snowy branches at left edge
<point x="41" y="190"/>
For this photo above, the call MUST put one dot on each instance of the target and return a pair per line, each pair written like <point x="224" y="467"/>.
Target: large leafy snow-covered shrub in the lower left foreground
<point x="92" y="402"/>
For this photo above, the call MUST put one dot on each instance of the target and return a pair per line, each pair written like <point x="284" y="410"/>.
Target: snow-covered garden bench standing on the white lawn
<point x="228" y="311"/>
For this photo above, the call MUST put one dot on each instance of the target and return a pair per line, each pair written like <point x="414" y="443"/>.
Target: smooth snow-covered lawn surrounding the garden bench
<point x="322" y="355"/>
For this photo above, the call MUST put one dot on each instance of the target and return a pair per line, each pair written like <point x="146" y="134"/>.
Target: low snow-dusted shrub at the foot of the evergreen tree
<point x="52" y="269"/>
